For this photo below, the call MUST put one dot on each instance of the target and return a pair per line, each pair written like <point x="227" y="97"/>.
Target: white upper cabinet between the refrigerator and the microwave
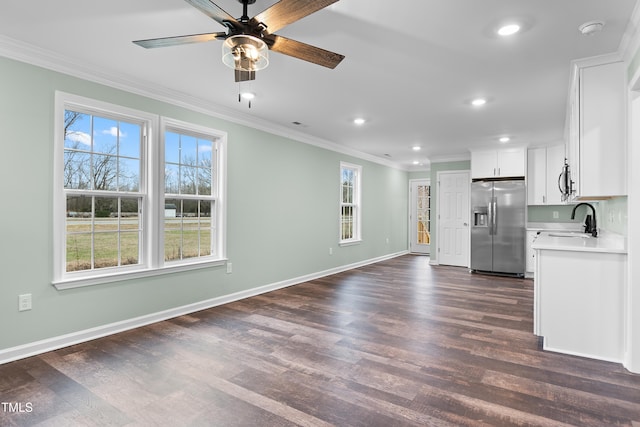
<point x="544" y="165"/>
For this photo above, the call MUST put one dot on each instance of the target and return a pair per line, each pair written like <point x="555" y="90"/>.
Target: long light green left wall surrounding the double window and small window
<point x="282" y="214"/>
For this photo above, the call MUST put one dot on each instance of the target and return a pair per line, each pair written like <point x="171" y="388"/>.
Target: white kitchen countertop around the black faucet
<point x="574" y="241"/>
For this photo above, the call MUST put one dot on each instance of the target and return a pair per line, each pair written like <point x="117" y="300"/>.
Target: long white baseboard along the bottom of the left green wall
<point x="54" y="343"/>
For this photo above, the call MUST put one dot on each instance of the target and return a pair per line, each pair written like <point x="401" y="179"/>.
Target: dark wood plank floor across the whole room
<point x="391" y="344"/>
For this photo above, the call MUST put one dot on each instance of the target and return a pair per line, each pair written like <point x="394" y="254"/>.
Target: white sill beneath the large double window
<point x="133" y="274"/>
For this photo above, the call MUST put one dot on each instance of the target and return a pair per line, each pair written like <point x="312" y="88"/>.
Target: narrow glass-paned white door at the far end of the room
<point x="420" y="216"/>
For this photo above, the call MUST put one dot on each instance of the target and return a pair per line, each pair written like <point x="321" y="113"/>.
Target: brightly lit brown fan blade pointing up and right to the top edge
<point x="285" y="12"/>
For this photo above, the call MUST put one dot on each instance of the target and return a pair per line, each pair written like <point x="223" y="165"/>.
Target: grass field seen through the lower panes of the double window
<point x="117" y="241"/>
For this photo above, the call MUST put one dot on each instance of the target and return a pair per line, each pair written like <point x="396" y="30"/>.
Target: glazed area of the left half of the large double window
<point x="101" y="176"/>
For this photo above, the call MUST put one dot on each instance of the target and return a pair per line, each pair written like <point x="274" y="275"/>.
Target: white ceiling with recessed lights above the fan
<point x="411" y="66"/>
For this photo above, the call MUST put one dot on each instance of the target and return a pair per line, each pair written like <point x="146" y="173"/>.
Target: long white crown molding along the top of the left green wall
<point x="33" y="55"/>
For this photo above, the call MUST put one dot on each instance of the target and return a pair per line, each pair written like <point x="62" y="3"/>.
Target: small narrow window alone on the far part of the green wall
<point x="350" y="208"/>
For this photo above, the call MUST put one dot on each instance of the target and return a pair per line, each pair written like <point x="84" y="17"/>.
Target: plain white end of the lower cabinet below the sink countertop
<point x="579" y="302"/>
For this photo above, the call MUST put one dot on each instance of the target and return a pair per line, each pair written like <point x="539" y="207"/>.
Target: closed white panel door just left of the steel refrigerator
<point x="453" y="218"/>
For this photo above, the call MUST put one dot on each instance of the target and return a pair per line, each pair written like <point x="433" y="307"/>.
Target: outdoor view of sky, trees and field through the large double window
<point x="104" y="155"/>
